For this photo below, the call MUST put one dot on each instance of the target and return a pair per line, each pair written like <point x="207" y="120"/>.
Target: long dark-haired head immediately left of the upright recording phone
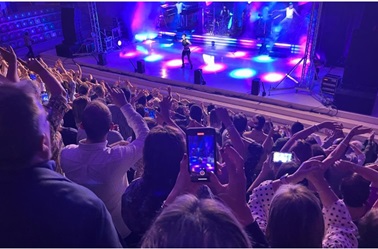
<point x="162" y="153"/>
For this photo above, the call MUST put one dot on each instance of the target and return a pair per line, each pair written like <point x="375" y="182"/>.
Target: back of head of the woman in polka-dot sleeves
<point x="295" y="218"/>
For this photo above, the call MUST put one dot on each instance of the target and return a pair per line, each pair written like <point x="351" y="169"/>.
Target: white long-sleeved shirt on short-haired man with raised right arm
<point x="101" y="168"/>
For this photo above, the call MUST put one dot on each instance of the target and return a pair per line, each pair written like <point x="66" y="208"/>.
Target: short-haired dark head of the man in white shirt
<point x="96" y="121"/>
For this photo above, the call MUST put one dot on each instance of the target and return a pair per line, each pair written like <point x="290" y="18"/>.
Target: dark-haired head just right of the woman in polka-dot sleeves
<point x="355" y="190"/>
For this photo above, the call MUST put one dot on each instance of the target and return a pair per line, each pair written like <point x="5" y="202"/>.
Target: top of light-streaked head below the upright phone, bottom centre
<point x="196" y="223"/>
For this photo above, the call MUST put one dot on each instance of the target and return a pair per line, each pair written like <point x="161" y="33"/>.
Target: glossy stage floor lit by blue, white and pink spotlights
<point x="226" y="68"/>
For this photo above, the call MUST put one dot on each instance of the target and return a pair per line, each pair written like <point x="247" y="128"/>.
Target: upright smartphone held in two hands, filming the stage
<point x="201" y="146"/>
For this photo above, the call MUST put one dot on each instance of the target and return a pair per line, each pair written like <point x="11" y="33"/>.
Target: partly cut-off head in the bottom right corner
<point x="368" y="229"/>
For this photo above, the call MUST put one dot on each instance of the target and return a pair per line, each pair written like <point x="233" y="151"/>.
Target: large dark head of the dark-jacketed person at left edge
<point x="20" y="134"/>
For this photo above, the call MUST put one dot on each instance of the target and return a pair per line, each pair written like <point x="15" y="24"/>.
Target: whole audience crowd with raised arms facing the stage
<point x="89" y="163"/>
